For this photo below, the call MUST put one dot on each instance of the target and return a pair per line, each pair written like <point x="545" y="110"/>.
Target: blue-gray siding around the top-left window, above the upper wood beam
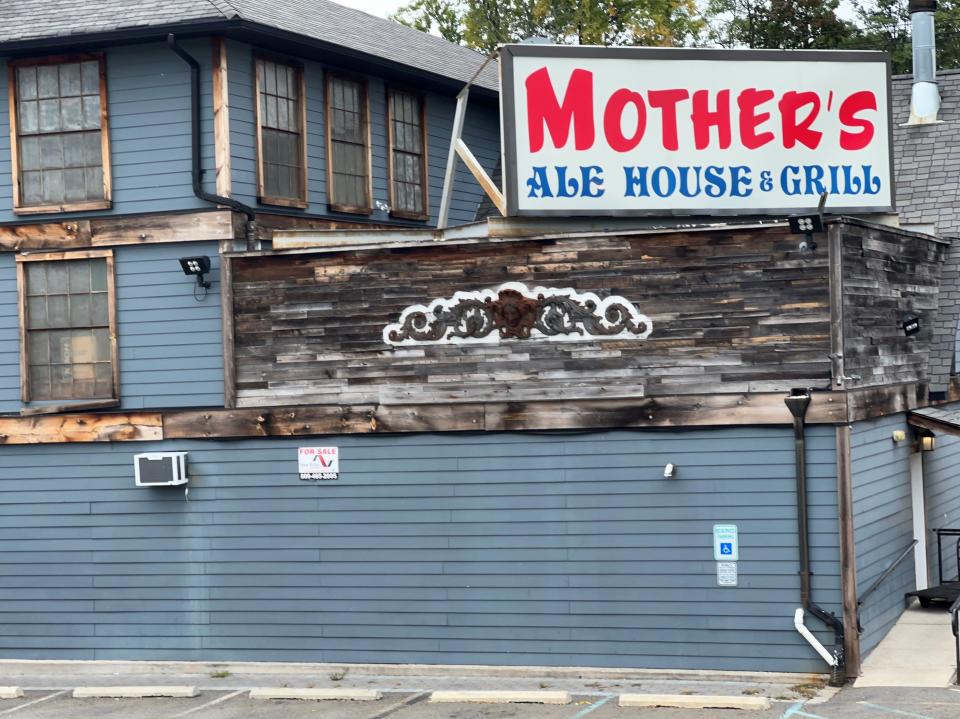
<point x="148" y="90"/>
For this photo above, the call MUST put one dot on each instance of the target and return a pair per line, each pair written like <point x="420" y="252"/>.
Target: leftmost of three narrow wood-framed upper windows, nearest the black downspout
<point x="281" y="150"/>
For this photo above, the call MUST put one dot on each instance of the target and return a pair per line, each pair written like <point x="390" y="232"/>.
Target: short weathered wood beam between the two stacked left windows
<point x="118" y="231"/>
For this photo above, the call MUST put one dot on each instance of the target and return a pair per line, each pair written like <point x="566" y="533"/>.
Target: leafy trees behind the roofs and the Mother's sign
<point x="787" y="24"/>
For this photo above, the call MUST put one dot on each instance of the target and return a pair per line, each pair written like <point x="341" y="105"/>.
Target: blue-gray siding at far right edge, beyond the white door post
<point x="941" y="470"/>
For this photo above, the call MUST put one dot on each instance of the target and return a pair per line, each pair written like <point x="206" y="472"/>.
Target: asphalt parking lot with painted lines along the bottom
<point x="235" y="704"/>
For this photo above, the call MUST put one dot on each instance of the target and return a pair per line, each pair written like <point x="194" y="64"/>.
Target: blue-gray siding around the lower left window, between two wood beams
<point x="171" y="353"/>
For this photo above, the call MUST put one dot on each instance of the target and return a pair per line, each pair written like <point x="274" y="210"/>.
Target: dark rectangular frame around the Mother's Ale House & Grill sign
<point x="509" y="129"/>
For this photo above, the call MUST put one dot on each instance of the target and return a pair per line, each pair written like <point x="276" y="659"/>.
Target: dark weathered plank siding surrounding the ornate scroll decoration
<point x="732" y="311"/>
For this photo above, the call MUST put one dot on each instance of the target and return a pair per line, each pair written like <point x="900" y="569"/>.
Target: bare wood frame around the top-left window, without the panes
<point x="12" y="84"/>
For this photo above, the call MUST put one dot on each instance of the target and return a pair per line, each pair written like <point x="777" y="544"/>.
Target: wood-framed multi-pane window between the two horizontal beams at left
<point x="68" y="348"/>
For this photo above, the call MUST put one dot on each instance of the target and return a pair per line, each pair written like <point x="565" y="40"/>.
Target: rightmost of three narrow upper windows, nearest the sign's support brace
<point x="408" y="155"/>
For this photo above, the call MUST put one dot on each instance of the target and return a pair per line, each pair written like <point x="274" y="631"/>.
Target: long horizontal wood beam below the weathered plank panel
<point x="676" y="411"/>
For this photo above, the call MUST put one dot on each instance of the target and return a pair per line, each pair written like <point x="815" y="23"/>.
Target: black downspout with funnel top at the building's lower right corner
<point x="797" y="403"/>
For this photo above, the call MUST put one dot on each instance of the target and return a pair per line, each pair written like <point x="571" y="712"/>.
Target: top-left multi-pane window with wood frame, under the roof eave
<point x="58" y="127"/>
